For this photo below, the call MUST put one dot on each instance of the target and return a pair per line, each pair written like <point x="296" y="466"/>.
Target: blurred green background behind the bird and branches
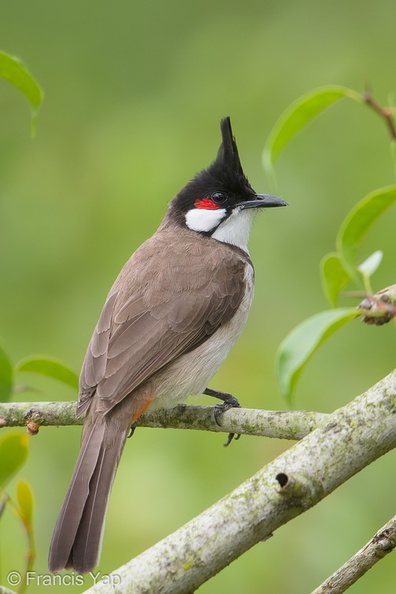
<point x="134" y="95"/>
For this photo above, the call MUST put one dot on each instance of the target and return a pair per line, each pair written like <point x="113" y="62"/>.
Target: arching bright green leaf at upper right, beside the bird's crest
<point x="298" y="115"/>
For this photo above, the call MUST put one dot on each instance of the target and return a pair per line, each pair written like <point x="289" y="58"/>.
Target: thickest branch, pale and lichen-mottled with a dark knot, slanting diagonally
<point x="352" y="438"/>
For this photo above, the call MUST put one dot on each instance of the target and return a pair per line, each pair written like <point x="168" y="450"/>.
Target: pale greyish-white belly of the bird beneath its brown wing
<point x="191" y="373"/>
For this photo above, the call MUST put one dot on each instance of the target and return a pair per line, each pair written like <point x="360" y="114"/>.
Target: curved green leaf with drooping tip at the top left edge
<point x="13" y="70"/>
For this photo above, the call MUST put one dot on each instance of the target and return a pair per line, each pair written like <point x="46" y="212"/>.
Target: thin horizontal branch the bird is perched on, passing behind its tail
<point x="281" y="424"/>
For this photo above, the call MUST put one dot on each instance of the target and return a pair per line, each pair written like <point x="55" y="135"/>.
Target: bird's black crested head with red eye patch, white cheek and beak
<point x="216" y="193"/>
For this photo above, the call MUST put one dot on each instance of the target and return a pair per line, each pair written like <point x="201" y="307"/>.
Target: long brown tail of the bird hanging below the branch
<point x="77" y="536"/>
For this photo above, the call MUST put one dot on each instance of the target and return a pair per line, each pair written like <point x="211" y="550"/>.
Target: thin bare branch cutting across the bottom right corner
<point x="380" y="545"/>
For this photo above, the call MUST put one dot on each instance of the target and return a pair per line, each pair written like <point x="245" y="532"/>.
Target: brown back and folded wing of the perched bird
<point x="157" y="310"/>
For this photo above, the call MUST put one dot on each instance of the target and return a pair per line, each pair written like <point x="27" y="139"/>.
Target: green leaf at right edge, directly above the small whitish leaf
<point x="358" y="222"/>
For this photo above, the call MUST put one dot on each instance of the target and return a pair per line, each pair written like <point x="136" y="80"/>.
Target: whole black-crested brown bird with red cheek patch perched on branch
<point x="168" y="323"/>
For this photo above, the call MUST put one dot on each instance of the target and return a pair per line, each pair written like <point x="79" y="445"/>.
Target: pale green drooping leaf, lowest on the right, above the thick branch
<point x="303" y="341"/>
